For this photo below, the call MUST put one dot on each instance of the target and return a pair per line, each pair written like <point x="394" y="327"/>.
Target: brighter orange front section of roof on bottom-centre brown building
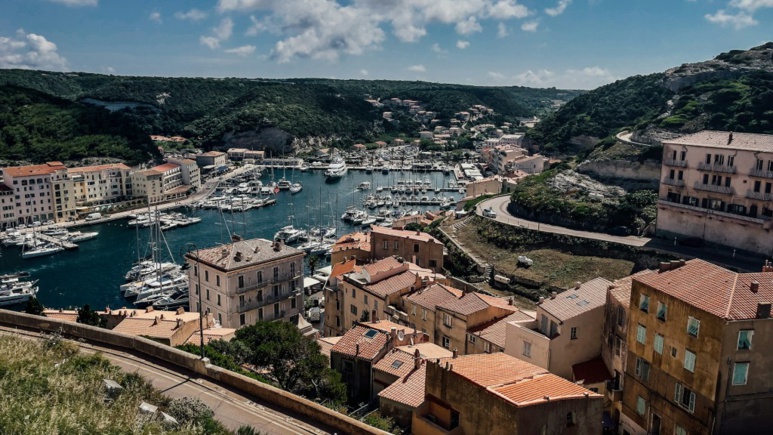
<point x="541" y="389"/>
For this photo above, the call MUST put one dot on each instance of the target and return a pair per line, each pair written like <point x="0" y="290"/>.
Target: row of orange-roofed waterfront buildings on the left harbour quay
<point x="54" y="192"/>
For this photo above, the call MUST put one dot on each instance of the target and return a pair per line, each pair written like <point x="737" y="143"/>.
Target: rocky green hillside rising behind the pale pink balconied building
<point x="733" y="91"/>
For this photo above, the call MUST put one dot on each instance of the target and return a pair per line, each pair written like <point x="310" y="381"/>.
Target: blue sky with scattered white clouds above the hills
<point x="577" y="44"/>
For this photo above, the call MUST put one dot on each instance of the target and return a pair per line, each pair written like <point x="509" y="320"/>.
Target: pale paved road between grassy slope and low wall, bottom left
<point x="232" y="408"/>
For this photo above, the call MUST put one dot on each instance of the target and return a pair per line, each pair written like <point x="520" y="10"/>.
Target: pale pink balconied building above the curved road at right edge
<point x="718" y="186"/>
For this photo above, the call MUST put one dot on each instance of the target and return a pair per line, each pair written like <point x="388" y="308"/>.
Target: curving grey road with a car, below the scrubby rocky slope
<point x="729" y="258"/>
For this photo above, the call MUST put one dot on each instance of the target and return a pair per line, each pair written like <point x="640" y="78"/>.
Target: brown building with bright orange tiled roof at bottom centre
<point x="500" y="395"/>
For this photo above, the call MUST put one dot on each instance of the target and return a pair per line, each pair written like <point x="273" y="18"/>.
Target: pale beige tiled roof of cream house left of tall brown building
<point x="572" y="302"/>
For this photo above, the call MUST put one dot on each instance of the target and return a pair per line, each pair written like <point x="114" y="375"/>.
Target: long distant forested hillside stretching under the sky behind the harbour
<point x="294" y="112"/>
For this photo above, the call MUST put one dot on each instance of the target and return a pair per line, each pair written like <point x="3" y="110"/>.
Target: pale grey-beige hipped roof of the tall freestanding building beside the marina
<point x="253" y="251"/>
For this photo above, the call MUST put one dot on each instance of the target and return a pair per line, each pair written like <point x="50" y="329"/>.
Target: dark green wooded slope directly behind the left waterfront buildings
<point x="39" y="127"/>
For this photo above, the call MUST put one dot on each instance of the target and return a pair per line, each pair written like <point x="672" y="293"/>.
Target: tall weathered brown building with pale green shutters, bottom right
<point x="698" y="359"/>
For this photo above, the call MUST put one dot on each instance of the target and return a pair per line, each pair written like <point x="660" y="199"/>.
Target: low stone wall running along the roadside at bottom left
<point x="261" y="391"/>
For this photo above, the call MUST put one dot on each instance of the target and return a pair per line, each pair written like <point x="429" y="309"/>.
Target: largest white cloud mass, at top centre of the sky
<point x="328" y="29"/>
